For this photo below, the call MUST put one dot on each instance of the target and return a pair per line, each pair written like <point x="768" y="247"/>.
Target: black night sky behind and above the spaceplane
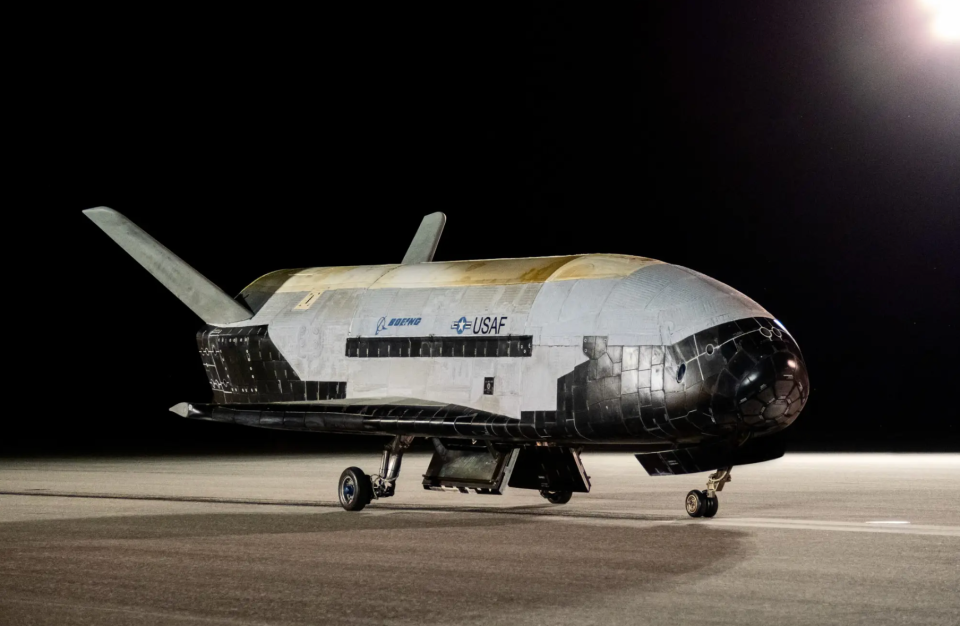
<point x="807" y="154"/>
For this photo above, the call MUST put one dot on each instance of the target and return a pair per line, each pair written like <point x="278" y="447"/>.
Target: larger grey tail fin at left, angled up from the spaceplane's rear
<point x="203" y="297"/>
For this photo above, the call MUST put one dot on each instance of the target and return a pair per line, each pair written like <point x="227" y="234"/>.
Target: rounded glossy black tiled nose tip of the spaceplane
<point x="764" y="384"/>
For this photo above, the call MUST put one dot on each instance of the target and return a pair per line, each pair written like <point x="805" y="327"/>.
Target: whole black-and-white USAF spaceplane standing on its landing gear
<point x="508" y="366"/>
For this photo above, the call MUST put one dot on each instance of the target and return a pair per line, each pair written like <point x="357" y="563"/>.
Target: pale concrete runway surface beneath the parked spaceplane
<point x="807" y="539"/>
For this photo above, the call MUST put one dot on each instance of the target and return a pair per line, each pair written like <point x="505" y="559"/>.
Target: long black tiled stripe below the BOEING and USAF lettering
<point x="453" y="347"/>
